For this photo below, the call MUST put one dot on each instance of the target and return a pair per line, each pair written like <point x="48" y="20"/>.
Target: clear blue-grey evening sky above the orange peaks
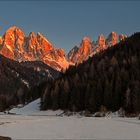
<point x="65" y="22"/>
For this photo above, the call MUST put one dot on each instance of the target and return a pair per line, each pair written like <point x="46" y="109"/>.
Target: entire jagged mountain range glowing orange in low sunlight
<point x="35" y="47"/>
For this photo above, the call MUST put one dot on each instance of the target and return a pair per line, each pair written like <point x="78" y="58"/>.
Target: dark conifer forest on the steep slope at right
<point x="110" y="79"/>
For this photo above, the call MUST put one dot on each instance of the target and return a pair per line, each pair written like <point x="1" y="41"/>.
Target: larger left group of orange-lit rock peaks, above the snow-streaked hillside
<point x="15" y="45"/>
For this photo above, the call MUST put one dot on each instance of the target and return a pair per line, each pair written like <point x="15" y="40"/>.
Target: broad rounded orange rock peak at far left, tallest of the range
<point x="13" y="41"/>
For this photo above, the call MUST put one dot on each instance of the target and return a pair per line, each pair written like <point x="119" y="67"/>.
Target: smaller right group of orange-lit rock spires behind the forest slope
<point x="86" y="48"/>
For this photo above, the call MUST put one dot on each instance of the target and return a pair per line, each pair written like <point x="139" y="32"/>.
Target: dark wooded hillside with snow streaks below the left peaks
<point x="21" y="82"/>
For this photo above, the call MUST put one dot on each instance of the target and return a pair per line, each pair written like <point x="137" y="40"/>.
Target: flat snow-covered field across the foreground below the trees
<point x="42" y="127"/>
